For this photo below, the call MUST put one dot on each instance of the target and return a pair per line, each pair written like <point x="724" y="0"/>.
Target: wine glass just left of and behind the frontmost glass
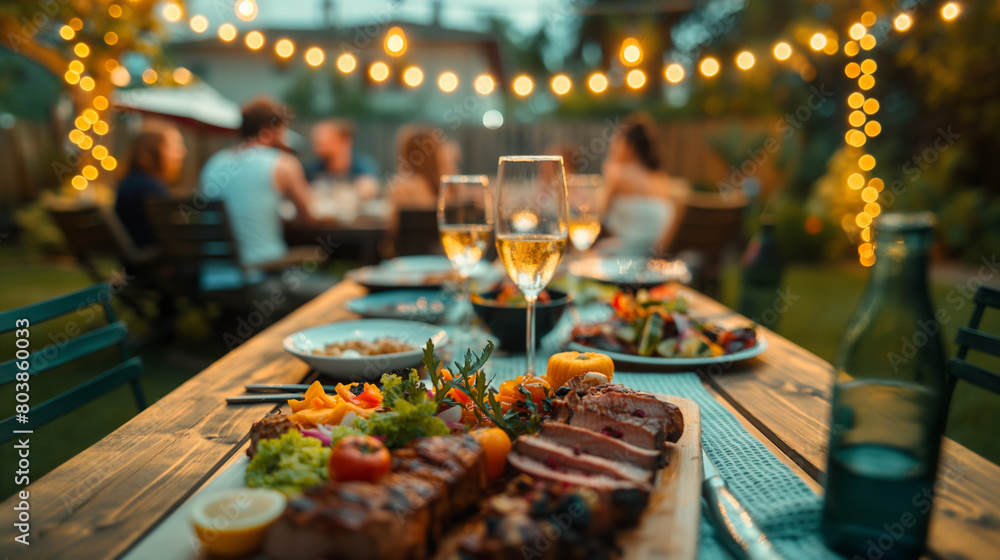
<point x="465" y="223"/>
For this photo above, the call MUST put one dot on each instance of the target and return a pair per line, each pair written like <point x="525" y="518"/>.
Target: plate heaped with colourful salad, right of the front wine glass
<point x="653" y="327"/>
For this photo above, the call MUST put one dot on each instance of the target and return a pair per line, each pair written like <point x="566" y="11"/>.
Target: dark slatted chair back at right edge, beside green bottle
<point x="971" y="338"/>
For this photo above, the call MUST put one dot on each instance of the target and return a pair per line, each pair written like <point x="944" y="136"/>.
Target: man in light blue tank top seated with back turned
<point x="251" y="179"/>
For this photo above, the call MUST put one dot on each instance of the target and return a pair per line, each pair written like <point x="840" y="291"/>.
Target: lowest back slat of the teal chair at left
<point x="126" y="372"/>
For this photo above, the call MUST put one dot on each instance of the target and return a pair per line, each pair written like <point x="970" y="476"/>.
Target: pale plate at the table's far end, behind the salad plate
<point x="632" y="271"/>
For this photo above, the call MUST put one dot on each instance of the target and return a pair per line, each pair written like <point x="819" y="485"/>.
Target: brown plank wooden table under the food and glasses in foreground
<point x="98" y="504"/>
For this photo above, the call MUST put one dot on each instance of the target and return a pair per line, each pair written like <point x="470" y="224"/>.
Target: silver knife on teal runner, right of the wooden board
<point x="738" y="531"/>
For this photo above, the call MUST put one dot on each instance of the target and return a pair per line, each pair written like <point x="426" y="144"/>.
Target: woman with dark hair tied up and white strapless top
<point x="645" y="205"/>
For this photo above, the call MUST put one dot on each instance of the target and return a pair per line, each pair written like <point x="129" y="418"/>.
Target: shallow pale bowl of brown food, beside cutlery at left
<point x="364" y="368"/>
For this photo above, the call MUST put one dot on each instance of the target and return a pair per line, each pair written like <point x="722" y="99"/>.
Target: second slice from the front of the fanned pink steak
<point x="561" y="457"/>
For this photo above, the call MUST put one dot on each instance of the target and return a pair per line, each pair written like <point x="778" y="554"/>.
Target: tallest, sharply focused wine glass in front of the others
<point x="531" y="227"/>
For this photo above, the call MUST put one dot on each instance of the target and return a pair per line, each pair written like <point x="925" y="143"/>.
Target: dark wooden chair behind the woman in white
<point x="709" y="226"/>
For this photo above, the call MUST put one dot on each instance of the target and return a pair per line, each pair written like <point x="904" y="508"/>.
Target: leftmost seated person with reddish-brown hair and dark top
<point x="155" y="161"/>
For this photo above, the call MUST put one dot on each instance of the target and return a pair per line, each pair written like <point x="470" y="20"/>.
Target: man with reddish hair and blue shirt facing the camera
<point x="337" y="161"/>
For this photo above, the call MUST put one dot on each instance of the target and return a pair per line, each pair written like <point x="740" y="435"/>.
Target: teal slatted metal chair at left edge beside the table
<point x="114" y="334"/>
